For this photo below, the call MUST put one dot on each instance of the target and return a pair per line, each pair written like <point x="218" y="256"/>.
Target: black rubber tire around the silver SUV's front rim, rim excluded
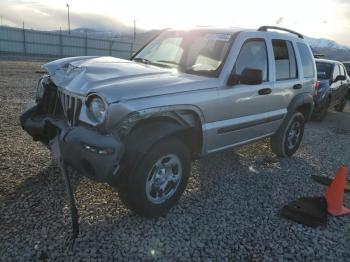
<point x="132" y="189"/>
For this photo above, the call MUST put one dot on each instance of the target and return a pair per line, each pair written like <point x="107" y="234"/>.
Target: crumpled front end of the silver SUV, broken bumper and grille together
<point x="54" y="120"/>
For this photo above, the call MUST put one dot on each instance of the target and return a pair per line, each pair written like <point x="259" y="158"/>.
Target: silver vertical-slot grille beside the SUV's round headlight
<point x="71" y="106"/>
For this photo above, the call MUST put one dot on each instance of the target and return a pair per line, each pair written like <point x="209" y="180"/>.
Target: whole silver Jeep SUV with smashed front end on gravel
<point x="138" y="124"/>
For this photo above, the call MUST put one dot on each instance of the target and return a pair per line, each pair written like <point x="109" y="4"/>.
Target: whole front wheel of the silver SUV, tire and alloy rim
<point x="158" y="181"/>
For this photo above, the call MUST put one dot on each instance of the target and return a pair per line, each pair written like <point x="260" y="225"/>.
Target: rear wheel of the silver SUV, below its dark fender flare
<point x="280" y="143"/>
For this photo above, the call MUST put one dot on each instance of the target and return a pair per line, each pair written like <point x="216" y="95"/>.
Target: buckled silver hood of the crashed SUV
<point x="119" y="79"/>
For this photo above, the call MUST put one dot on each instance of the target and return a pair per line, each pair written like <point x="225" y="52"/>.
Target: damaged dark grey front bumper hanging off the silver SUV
<point x="93" y="154"/>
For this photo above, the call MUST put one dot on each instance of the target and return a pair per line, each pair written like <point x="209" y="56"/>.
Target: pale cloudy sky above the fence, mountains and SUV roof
<point x="316" y="18"/>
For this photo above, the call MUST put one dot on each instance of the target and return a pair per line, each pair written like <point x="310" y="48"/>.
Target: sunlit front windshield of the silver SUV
<point x="194" y="52"/>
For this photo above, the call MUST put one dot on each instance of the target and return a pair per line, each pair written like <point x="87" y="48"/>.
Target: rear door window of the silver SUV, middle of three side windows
<point x="286" y="67"/>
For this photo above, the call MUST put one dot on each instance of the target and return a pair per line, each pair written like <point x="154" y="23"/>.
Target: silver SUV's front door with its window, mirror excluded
<point x="247" y="112"/>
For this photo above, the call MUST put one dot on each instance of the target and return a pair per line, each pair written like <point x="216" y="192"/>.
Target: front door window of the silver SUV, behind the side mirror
<point x="253" y="55"/>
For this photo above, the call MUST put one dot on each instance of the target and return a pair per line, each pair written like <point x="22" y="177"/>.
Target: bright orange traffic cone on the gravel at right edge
<point x="335" y="194"/>
